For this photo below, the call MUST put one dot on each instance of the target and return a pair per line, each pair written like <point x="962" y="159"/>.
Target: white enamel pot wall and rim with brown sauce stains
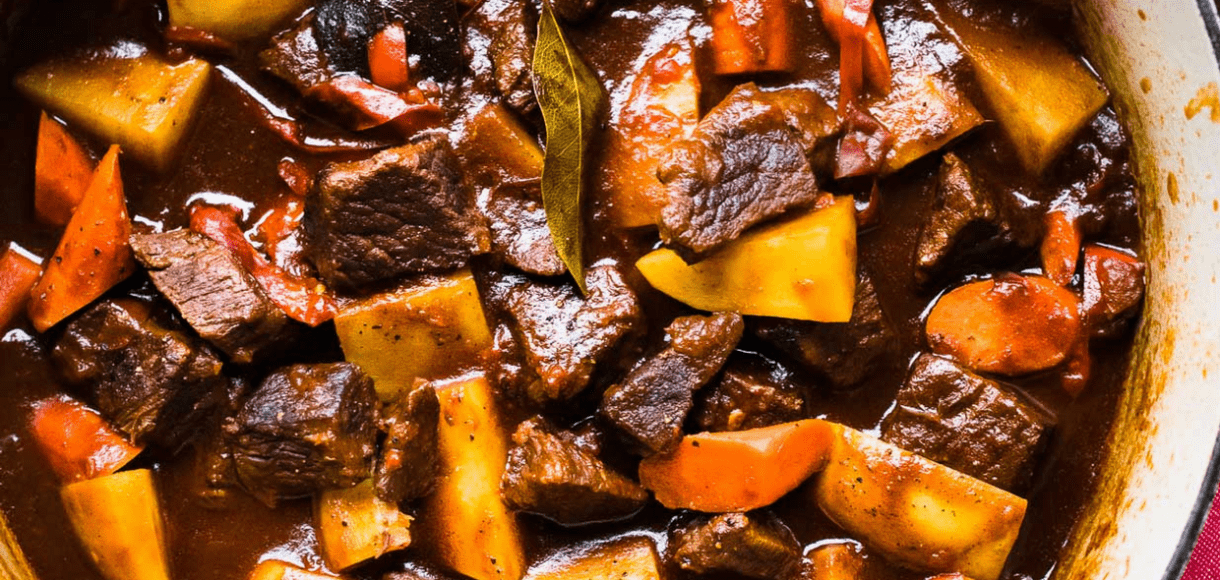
<point x="1161" y="60"/>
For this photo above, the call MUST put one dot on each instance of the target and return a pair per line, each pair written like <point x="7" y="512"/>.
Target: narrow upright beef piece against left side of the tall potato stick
<point x="409" y="461"/>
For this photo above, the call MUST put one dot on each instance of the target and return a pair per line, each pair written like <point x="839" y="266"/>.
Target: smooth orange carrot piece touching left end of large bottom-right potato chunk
<point x="763" y="466"/>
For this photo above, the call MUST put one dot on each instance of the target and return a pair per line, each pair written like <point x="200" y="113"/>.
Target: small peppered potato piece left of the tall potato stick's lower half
<point x="354" y="526"/>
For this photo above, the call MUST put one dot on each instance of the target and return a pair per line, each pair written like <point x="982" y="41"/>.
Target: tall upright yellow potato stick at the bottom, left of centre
<point x="465" y="522"/>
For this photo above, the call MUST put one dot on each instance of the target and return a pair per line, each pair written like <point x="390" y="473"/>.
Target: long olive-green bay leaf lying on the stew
<point x="572" y="101"/>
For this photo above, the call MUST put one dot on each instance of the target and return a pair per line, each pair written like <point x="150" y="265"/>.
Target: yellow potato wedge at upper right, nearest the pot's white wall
<point x="1041" y="95"/>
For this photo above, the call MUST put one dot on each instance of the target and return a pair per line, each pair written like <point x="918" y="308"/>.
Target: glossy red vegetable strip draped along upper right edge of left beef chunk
<point x="298" y="299"/>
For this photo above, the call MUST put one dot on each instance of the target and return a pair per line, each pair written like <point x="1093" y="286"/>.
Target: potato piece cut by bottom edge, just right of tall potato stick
<point x="633" y="559"/>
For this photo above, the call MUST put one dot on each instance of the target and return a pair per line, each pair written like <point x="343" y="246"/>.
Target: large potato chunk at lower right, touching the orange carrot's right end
<point x="916" y="512"/>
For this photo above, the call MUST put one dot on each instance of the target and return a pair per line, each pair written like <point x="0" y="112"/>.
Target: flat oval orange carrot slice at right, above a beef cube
<point x="1011" y="325"/>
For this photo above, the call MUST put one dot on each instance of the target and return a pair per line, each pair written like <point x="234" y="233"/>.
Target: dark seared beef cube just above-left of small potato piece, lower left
<point x="308" y="428"/>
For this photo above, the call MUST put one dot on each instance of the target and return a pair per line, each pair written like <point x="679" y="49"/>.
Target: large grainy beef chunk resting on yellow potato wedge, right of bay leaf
<point x="746" y="163"/>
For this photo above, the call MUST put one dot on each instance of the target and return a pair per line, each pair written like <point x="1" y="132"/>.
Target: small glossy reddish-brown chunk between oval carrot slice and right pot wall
<point x="1114" y="286"/>
